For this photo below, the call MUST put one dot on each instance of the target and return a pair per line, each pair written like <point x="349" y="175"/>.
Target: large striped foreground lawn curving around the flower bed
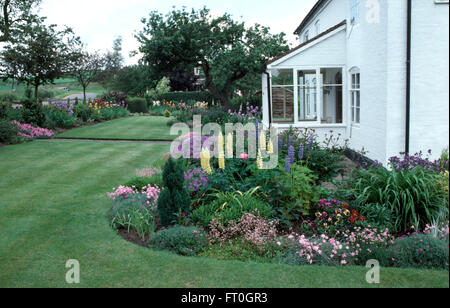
<point x="53" y="207"/>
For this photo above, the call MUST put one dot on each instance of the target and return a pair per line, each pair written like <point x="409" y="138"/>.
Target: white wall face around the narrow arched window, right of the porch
<point x="367" y="50"/>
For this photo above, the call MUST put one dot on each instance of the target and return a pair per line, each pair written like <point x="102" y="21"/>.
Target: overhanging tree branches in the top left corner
<point x="14" y="16"/>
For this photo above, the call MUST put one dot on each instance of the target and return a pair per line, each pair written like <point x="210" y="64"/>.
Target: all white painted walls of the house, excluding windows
<point x="378" y="49"/>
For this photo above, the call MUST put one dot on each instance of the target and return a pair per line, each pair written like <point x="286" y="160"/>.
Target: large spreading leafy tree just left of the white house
<point x="226" y="50"/>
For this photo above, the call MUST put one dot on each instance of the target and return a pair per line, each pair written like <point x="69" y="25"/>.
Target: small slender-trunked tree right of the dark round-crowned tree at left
<point x="86" y="67"/>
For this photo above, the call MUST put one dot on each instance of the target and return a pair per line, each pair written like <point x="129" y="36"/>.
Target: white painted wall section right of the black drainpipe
<point x="430" y="77"/>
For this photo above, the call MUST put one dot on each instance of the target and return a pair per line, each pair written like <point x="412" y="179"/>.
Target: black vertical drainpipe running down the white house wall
<point x="408" y="77"/>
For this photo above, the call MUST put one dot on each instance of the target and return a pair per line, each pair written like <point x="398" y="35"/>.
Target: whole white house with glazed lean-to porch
<point x="376" y="71"/>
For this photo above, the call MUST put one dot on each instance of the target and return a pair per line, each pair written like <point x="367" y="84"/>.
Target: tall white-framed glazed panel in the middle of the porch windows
<point x="307" y="95"/>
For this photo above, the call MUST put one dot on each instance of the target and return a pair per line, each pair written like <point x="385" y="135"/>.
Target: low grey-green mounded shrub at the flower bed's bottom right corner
<point x="422" y="251"/>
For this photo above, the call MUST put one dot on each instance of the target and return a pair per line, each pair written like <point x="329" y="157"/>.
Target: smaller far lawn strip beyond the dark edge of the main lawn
<point x="130" y="128"/>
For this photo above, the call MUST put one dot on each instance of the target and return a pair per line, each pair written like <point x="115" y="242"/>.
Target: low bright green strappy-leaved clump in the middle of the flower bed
<point x="230" y="206"/>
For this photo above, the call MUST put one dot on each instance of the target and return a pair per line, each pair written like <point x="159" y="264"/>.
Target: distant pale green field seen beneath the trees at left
<point x="57" y="88"/>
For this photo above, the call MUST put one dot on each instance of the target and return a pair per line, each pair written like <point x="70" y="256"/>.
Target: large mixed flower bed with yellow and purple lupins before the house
<point x="285" y="215"/>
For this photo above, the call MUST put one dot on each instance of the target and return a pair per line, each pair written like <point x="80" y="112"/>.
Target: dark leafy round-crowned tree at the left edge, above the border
<point x="42" y="55"/>
